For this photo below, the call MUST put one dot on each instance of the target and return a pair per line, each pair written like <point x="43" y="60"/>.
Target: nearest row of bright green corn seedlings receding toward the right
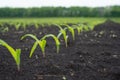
<point x="42" y="41"/>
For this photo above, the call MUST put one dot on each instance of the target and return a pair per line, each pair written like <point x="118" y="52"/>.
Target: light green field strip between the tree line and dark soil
<point x="61" y="20"/>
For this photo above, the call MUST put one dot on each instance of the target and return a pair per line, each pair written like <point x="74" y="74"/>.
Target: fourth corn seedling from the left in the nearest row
<point x="62" y="32"/>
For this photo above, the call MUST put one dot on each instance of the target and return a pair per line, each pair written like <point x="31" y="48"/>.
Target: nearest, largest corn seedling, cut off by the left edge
<point x="15" y="53"/>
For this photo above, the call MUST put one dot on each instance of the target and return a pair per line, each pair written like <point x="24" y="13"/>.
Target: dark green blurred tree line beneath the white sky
<point x="111" y="11"/>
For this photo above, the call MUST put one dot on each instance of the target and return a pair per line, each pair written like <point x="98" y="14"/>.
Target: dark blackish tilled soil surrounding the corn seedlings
<point x="93" y="55"/>
